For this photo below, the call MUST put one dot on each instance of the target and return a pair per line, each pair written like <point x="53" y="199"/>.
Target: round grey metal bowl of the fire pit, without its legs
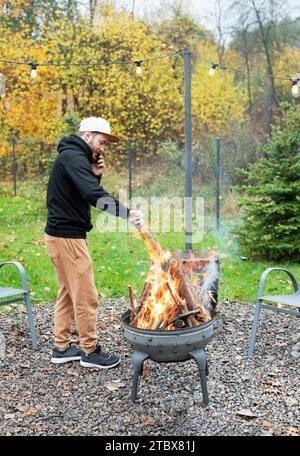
<point x="168" y="346"/>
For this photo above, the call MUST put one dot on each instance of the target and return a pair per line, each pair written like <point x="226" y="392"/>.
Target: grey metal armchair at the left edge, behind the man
<point x="14" y="295"/>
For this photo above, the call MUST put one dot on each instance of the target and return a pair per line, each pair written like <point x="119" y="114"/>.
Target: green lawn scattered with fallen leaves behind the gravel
<point x="119" y="259"/>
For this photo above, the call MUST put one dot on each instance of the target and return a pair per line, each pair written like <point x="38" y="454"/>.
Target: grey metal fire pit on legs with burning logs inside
<point x="165" y="342"/>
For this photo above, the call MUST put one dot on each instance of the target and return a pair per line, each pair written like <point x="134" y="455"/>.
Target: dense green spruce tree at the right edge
<point x="271" y="195"/>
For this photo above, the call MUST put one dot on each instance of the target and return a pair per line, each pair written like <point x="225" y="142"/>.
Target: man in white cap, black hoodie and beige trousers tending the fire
<point x="73" y="187"/>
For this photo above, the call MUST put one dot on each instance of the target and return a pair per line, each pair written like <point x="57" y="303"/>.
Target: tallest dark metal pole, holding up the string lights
<point x="188" y="150"/>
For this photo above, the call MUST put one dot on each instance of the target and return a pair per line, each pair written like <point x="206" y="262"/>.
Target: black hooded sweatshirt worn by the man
<point x="73" y="188"/>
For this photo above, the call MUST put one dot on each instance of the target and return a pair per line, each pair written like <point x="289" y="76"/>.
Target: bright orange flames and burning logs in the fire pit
<point x="169" y="292"/>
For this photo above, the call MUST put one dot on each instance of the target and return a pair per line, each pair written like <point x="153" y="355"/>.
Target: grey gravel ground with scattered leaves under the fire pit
<point x="259" y="397"/>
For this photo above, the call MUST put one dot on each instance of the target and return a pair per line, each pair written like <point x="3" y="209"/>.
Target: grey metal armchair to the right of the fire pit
<point x="288" y="300"/>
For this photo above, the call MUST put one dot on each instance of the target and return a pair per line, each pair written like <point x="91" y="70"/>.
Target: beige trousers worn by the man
<point x="77" y="297"/>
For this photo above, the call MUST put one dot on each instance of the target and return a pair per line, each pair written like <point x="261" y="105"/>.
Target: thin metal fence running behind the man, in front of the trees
<point x="145" y="169"/>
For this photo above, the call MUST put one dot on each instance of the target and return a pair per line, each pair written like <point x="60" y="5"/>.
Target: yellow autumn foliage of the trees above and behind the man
<point x="148" y="107"/>
